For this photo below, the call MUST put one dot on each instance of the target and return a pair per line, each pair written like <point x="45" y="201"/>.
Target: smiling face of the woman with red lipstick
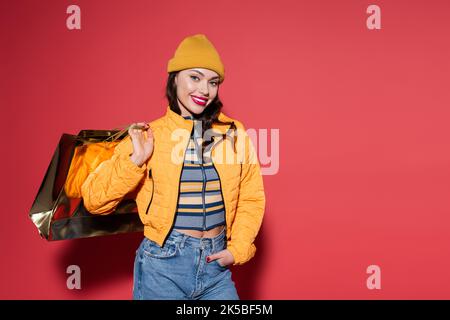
<point x="196" y="89"/>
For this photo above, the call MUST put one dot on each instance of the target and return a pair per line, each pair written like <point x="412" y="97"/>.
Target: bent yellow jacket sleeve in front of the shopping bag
<point x="107" y="185"/>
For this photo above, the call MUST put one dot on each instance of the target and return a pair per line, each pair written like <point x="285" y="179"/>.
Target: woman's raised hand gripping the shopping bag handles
<point x="142" y="146"/>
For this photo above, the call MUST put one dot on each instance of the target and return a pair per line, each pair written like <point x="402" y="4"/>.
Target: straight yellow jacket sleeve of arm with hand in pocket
<point x="250" y="207"/>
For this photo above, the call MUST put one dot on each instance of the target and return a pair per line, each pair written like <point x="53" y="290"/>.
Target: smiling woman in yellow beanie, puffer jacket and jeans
<point x="197" y="183"/>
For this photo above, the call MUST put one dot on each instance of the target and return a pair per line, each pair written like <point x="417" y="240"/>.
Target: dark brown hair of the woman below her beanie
<point x="209" y="116"/>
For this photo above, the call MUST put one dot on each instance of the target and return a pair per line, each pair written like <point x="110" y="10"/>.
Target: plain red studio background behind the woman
<point x="363" y="118"/>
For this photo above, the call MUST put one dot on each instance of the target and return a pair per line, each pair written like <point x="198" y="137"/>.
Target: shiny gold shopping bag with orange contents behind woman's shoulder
<point x="58" y="211"/>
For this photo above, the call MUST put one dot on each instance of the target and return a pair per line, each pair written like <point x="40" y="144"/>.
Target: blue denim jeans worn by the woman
<point x="179" y="271"/>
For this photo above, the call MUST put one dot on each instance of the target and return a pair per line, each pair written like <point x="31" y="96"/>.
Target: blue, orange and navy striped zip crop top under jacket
<point x="200" y="203"/>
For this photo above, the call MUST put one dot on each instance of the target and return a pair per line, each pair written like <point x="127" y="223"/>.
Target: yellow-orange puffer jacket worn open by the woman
<point x="156" y="182"/>
